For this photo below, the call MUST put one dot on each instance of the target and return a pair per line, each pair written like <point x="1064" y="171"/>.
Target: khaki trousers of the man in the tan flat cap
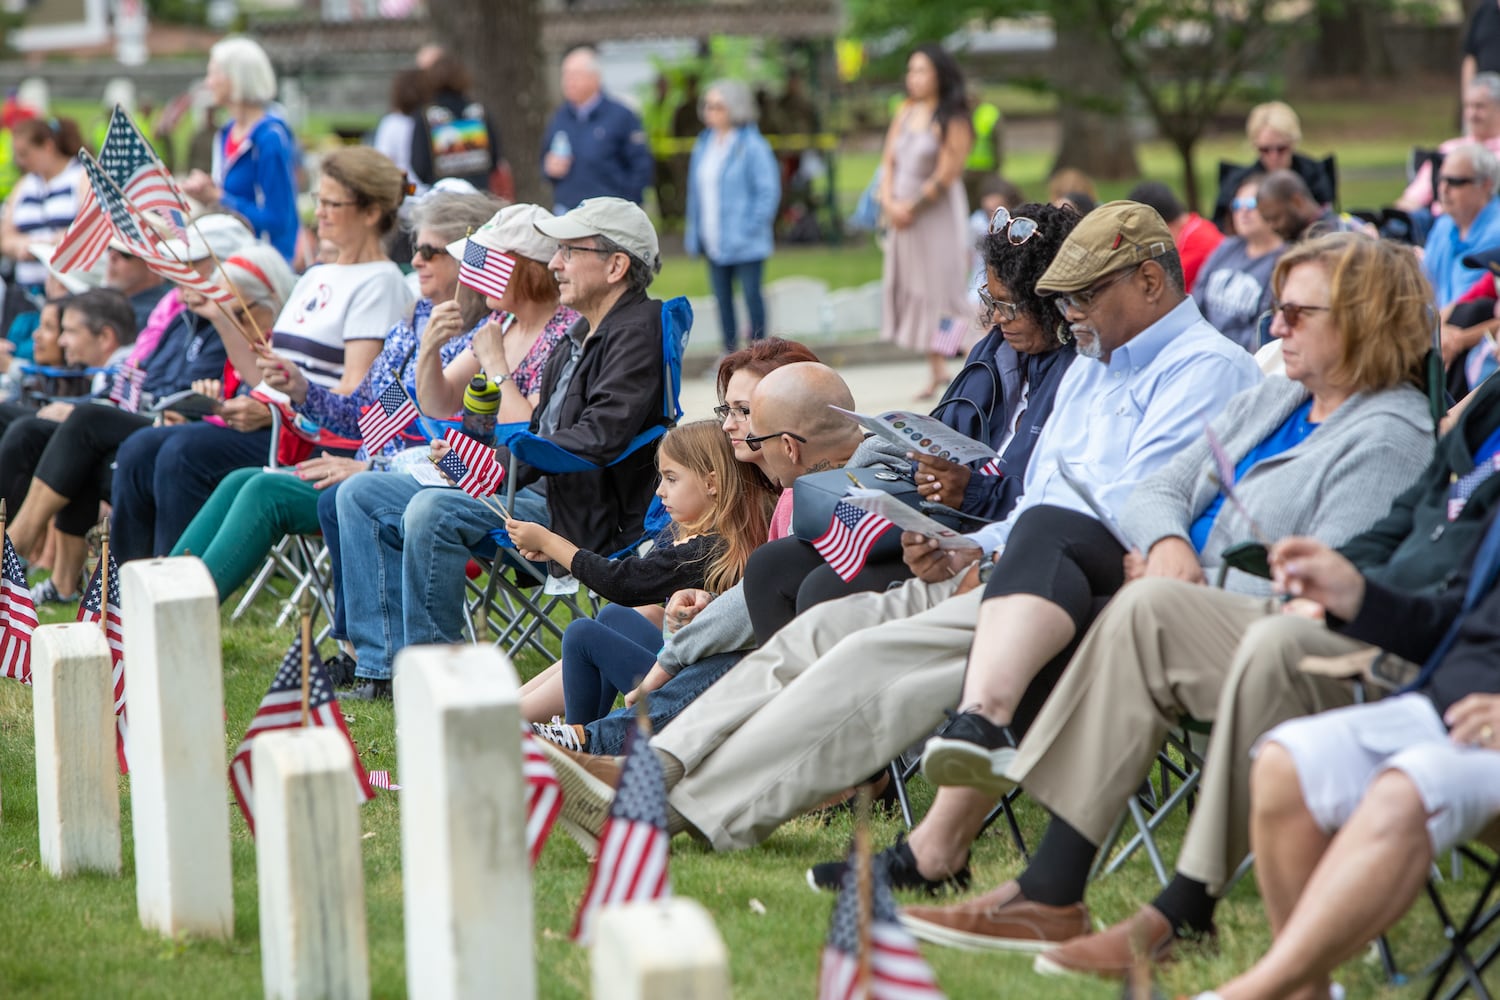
<point x="833" y="698"/>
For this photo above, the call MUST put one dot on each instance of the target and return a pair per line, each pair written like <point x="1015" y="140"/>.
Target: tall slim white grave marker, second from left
<point x="179" y="791"/>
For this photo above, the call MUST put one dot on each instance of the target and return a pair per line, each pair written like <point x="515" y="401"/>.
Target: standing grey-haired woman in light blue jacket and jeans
<point x="734" y="188"/>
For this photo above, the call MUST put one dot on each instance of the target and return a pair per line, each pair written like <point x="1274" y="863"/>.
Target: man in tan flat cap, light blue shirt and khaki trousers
<point x="875" y="672"/>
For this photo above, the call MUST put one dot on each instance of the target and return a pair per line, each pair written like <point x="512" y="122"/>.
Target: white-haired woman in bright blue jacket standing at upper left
<point x="254" y="154"/>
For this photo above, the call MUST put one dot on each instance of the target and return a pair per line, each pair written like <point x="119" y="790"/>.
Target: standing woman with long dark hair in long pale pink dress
<point x="925" y="305"/>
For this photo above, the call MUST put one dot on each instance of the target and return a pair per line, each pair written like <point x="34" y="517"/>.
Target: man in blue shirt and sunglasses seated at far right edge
<point x="1471" y="221"/>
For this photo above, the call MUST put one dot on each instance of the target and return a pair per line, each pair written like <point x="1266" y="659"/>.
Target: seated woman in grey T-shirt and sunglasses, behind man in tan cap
<point x="1234" y="289"/>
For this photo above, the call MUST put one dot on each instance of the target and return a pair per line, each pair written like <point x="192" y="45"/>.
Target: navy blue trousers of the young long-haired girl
<point x="605" y="656"/>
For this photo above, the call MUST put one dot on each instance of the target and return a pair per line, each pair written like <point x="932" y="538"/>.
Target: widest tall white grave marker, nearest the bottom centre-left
<point x="463" y="825"/>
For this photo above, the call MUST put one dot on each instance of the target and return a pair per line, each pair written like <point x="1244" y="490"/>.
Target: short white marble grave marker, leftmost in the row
<point x="77" y="791"/>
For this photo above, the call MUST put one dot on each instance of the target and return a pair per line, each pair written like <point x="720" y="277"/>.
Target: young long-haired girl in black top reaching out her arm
<point x="719" y="516"/>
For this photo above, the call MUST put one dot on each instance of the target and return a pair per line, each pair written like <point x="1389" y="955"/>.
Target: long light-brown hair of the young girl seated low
<point x="740" y="510"/>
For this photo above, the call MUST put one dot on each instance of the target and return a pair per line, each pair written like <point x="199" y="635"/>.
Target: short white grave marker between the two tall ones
<point x="308" y="866"/>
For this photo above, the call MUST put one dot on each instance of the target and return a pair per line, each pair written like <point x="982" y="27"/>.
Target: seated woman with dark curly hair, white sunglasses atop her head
<point x="1003" y="398"/>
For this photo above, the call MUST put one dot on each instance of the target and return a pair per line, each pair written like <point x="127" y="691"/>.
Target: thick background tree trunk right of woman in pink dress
<point x="1096" y="130"/>
